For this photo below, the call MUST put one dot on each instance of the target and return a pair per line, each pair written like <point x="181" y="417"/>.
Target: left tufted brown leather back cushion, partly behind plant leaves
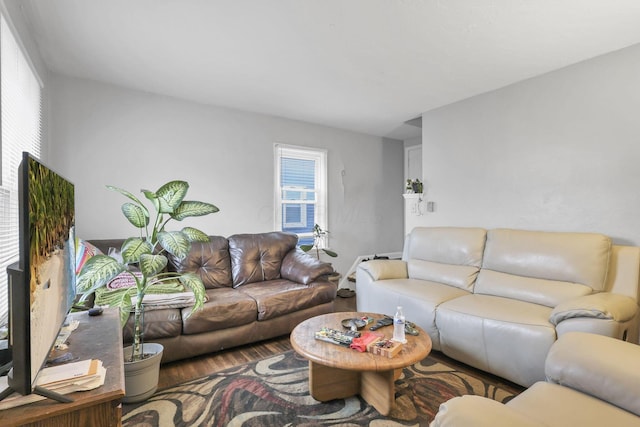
<point x="209" y="260"/>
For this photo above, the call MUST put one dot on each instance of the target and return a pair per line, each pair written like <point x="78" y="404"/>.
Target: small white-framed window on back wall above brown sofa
<point x="301" y="190"/>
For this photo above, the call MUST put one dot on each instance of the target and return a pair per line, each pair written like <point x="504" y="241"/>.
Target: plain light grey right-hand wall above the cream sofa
<point x="556" y="152"/>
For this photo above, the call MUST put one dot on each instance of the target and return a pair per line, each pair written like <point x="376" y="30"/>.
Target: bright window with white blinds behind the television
<point x="20" y="106"/>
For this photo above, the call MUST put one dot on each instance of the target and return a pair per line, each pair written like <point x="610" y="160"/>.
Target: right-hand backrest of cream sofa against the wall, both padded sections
<point x="543" y="267"/>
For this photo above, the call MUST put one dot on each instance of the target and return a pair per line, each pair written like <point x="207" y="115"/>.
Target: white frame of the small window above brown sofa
<point x="319" y="156"/>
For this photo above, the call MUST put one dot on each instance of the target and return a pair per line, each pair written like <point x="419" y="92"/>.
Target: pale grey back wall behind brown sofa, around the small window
<point x="103" y="134"/>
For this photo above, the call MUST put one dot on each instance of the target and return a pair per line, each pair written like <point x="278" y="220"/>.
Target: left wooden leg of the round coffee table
<point x="326" y="383"/>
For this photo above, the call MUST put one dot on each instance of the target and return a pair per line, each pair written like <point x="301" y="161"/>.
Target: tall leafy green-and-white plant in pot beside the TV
<point x="144" y="259"/>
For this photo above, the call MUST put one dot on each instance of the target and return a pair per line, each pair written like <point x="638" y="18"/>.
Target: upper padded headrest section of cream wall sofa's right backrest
<point x="581" y="258"/>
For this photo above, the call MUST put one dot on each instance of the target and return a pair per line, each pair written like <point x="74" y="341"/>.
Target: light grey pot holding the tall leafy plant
<point x="141" y="376"/>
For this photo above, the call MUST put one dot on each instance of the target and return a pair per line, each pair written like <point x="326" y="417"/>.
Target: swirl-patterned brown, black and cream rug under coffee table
<point x="275" y="392"/>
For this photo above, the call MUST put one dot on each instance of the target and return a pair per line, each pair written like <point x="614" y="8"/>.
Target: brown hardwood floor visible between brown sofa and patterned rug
<point x="178" y="372"/>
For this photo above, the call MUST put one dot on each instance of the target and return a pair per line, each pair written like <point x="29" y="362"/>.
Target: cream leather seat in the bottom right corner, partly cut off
<point x="592" y="380"/>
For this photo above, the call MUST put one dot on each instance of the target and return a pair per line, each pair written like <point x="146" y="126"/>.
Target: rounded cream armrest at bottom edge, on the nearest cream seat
<point x="478" y="411"/>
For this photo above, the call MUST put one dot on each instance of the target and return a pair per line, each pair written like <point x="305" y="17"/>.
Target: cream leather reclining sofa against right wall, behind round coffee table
<point x="498" y="299"/>
